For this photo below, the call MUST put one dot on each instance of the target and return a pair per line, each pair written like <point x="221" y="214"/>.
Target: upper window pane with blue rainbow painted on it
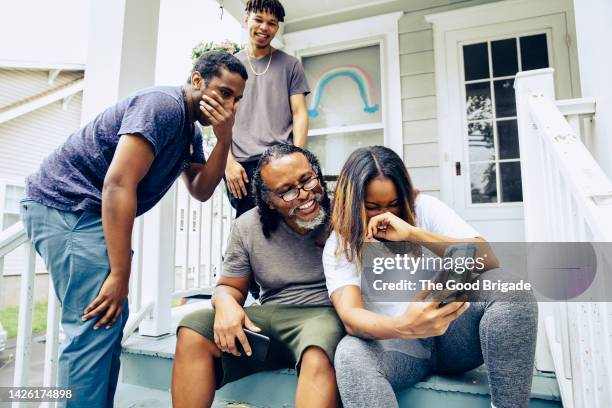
<point x="345" y="87"/>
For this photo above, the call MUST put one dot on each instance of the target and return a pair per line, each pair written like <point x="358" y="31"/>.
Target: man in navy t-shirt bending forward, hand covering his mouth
<point x="81" y="205"/>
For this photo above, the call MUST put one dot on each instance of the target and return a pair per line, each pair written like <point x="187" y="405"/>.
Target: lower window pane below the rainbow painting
<point x="333" y="150"/>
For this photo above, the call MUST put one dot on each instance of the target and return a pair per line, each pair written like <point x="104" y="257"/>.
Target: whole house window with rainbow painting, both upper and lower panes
<point x="345" y="106"/>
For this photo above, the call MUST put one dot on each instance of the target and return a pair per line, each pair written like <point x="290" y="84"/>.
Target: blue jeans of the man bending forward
<point x="73" y="248"/>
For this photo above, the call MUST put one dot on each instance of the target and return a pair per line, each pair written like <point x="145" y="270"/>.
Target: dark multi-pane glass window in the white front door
<point x="492" y="133"/>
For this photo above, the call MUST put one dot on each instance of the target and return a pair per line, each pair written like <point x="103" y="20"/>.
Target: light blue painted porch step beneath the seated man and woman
<point x="147" y="364"/>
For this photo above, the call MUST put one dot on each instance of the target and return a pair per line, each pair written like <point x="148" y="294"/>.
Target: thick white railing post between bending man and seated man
<point x="158" y="262"/>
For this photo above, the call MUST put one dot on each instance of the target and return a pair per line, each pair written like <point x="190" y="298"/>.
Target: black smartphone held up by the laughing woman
<point x="459" y="273"/>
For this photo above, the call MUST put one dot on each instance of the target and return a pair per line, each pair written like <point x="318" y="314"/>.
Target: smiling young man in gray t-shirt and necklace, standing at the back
<point x="273" y="110"/>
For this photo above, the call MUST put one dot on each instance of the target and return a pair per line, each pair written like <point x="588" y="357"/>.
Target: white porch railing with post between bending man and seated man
<point x="178" y="252"/>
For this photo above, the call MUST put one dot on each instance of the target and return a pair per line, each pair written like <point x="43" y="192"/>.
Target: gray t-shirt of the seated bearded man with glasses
<point x="288" y="267"/>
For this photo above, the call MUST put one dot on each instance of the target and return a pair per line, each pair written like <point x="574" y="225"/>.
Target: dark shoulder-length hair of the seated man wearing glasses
<point x="270" y="218"/>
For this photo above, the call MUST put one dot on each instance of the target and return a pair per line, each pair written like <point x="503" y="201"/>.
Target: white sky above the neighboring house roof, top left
<point x="44" y="31"/>
